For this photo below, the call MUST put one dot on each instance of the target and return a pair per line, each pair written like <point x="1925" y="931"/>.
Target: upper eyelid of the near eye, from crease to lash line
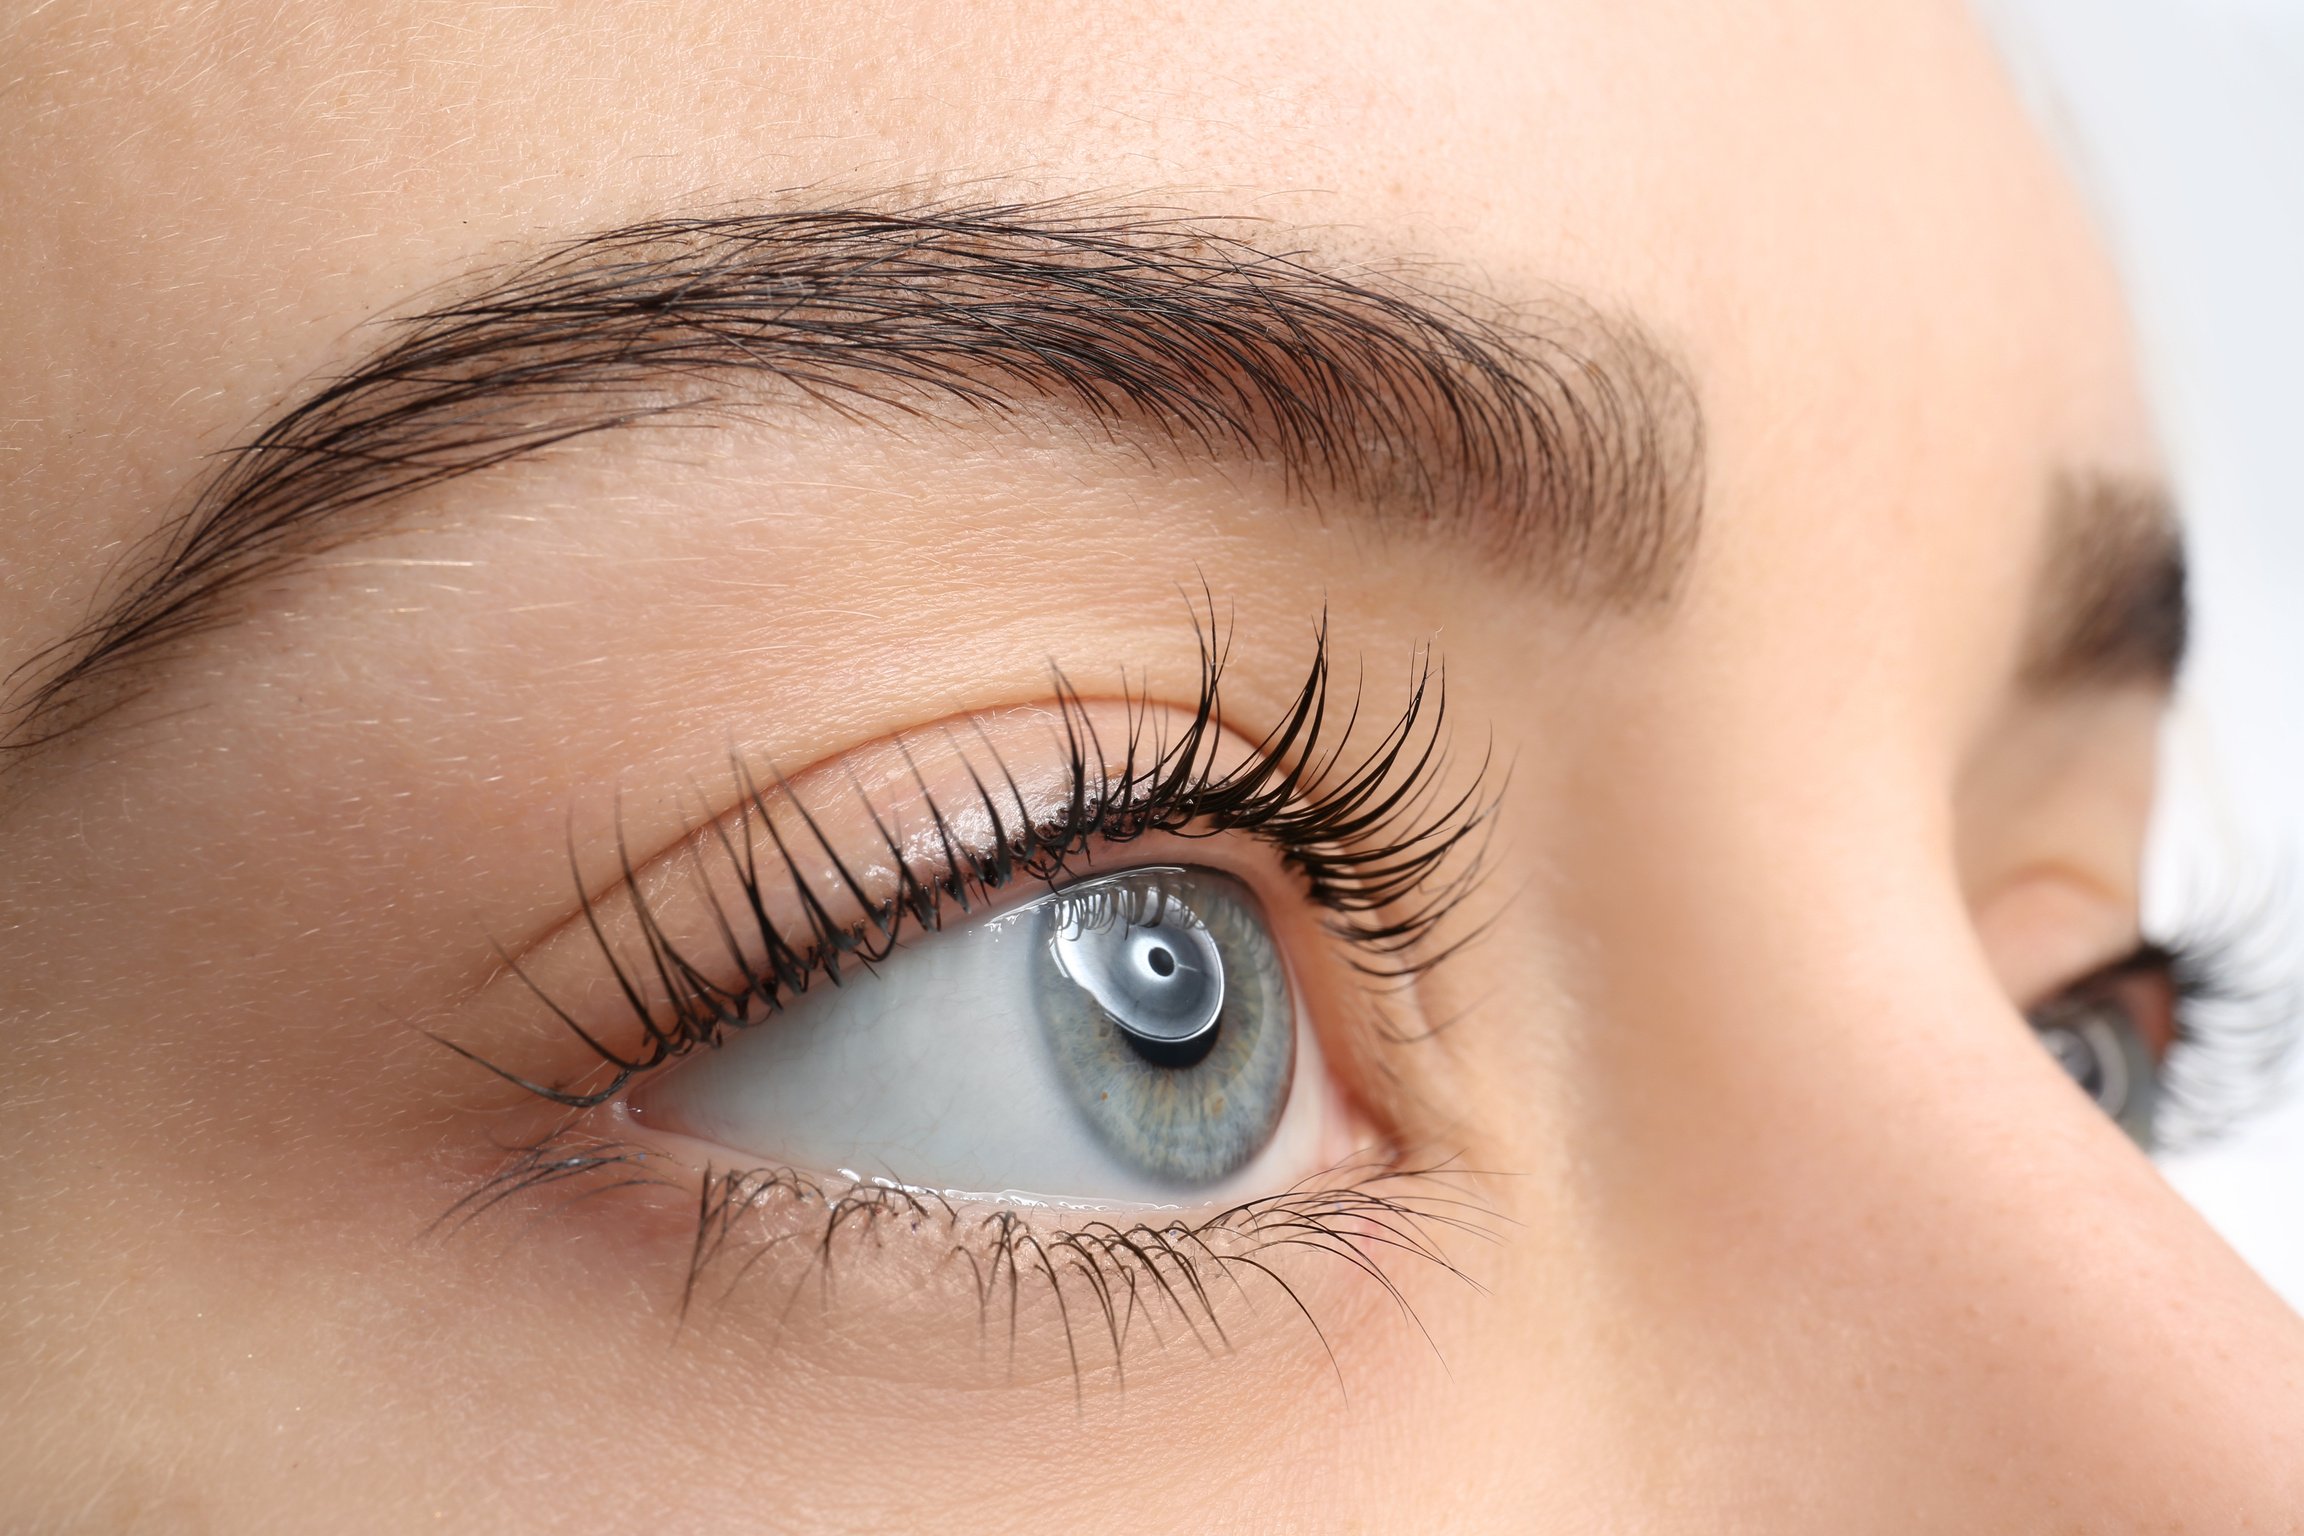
<point x="828" y="872"/>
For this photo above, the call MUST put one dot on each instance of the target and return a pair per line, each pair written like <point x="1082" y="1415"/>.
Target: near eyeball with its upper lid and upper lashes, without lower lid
<point x="925" y="964"/>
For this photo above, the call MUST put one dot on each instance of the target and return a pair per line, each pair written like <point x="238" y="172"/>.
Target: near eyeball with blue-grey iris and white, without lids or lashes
<point x="1126" y="1040"/>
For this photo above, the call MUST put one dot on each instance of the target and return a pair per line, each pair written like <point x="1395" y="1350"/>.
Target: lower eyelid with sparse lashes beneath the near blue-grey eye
<point x="835" y="1275"/>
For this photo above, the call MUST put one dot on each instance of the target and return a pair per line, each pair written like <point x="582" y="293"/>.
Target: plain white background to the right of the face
<point x="2185" y="121"/>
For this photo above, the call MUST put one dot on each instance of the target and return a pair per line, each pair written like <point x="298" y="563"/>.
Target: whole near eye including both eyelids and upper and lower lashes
<point x="1059" y="1014"/>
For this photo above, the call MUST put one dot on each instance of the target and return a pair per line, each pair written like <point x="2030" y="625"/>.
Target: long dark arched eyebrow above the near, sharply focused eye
<point x="1552" y="439"/>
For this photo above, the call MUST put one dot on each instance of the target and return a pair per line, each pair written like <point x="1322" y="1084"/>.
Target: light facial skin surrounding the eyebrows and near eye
<point x="1796" y="1226"/>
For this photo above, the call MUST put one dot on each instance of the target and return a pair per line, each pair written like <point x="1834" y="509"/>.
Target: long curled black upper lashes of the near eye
<point x="1367" y="832"/>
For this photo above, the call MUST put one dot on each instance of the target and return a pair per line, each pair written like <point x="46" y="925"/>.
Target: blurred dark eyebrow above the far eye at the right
<point x="2112" y="604"/>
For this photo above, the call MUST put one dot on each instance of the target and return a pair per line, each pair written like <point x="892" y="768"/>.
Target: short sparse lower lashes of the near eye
<point x="1107" y="1282"/>
